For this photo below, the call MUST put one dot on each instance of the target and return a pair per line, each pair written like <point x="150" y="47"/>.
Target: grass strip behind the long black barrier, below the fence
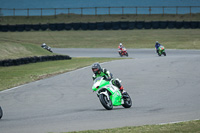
<point x="64" y="18"/>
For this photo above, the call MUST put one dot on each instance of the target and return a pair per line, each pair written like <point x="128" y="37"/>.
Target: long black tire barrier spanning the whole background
<point x="103" y="26"/>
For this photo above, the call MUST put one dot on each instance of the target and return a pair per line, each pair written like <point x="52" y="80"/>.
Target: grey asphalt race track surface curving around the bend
<point x="163" y="90"/>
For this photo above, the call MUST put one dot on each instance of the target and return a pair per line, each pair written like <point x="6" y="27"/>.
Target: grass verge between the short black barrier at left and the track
<point x="18" y="75"/>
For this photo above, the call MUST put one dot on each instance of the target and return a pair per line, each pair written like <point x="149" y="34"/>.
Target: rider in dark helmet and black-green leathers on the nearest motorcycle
<point x="98" y="71"/>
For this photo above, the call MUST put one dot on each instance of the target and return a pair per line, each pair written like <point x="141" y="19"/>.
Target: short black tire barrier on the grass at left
<point x="27" y="60"/>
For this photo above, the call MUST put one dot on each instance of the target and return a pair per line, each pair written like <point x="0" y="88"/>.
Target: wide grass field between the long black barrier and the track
<point x="170" y="38"/>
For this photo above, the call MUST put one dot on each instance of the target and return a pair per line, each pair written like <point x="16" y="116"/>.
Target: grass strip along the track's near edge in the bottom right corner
<point x="183" y="127"/>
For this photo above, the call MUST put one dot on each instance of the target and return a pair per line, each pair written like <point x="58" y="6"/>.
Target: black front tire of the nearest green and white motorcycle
<point x="105" y="102"/>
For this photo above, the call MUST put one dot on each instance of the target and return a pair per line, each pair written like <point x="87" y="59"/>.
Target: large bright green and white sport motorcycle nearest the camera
<point x="109" y="95"/>
